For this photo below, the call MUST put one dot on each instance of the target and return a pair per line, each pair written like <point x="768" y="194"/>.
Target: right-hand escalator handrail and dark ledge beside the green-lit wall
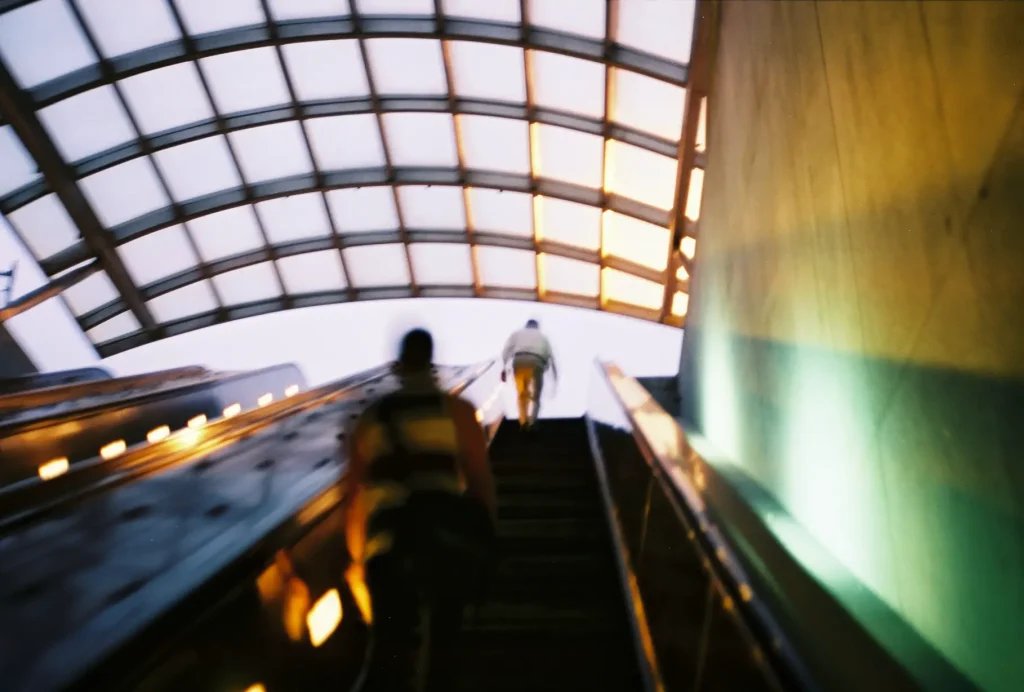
<point x="761" y="614"/>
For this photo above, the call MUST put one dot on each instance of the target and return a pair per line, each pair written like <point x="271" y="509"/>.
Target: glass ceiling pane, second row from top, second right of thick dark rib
<point x="167" y="98"/>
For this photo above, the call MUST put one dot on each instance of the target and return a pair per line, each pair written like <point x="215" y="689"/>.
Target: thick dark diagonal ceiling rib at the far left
<point x="17" y="110"/>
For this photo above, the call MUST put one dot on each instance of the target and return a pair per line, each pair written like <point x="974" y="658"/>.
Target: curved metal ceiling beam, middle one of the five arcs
<point x="187" y="211"/>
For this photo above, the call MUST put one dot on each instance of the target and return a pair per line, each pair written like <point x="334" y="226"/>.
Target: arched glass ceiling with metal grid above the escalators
<point x="215" y="161"/>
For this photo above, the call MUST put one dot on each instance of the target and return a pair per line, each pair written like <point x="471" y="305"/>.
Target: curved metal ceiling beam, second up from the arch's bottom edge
<point x="261" y="255"/>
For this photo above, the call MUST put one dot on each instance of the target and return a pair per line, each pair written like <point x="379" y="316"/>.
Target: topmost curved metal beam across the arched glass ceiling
<point x="327" y="29"/>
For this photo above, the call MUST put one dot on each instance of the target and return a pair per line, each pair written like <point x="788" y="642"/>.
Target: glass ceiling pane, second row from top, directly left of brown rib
<point x="649" y="105"/>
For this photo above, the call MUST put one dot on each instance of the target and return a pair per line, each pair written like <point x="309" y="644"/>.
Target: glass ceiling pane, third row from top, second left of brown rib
<point x="569" y="155"/>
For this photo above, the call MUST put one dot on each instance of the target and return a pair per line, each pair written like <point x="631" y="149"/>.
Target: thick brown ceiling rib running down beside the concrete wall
<point x="697" y="92"/>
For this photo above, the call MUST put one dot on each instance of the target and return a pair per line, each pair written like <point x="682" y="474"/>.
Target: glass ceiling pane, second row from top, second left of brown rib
<point x="568" y="83"/>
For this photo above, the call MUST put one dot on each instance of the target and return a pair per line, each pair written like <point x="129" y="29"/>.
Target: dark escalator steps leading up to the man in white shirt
<point x="556" y="617"/>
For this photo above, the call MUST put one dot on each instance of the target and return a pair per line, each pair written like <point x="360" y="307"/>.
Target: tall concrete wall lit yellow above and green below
<point x="857" y="330"/>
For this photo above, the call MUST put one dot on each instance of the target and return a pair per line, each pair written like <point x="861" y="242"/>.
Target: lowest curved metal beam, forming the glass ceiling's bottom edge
<point x="205" y="320"/>
